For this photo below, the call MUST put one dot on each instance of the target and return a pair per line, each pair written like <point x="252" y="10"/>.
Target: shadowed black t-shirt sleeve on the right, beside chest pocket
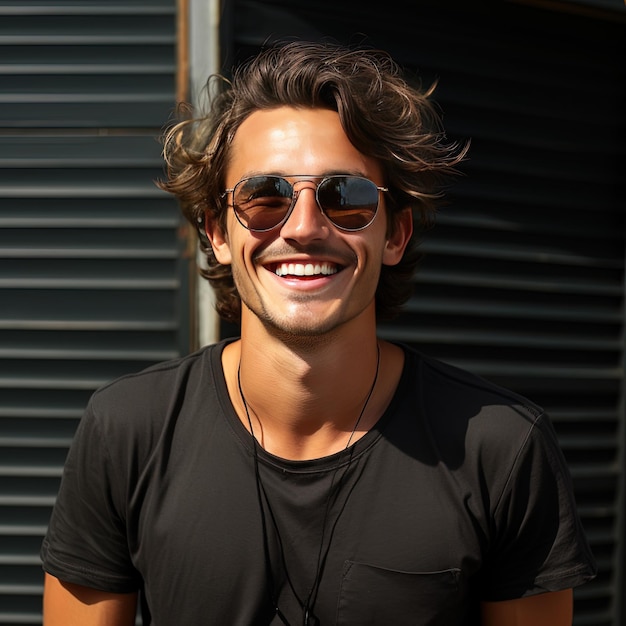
<point x="538" y="543"/>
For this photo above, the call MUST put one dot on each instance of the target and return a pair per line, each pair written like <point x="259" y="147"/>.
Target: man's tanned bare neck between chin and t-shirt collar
<point x="304" y="401"/>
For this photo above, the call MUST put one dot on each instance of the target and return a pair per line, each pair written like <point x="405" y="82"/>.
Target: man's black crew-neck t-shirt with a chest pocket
<point x="459" y="494"/>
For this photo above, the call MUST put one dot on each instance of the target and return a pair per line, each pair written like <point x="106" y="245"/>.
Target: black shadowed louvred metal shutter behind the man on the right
<point x="523" y="277"/>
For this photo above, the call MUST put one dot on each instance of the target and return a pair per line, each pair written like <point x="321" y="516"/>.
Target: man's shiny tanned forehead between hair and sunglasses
<point x="289" y="140"/>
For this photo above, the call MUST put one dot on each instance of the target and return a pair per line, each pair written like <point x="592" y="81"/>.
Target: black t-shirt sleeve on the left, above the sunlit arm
<point x="86" y="542"/>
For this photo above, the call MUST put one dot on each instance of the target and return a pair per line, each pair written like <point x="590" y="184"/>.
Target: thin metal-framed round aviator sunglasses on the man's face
<point x="262" y="203"/>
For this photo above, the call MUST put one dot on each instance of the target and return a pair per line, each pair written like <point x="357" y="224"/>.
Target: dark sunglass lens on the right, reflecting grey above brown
<point x="350" y="202"/>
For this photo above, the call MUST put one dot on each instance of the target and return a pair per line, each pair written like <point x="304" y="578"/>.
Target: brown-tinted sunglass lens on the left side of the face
<point x="262" y="202"/>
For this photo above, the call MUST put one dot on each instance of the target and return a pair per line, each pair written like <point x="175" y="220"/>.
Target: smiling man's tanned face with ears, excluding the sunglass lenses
<point x="304" y="277"/>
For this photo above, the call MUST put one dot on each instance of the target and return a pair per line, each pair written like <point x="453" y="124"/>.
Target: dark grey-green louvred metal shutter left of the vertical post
<point x="93" y="285"/>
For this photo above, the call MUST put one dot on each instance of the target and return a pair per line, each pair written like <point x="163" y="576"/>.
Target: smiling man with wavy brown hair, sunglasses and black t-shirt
<point x="309" y="472"/>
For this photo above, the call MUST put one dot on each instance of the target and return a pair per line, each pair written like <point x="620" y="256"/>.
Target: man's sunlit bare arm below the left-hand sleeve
<point x="67" y="604"/>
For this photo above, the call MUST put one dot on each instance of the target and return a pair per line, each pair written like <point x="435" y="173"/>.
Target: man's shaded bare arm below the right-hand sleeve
<point x="546" y="609"/>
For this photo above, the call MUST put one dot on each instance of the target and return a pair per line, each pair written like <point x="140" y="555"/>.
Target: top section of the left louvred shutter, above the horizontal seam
<point x="86" y="64"/>
